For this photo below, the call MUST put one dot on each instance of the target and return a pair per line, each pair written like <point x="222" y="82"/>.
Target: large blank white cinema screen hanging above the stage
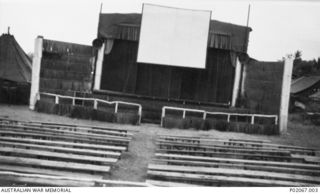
<point x="172" y="36"/>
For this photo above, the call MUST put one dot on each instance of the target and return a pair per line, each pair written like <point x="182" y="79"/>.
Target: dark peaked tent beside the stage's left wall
<point x="15" y="71"/>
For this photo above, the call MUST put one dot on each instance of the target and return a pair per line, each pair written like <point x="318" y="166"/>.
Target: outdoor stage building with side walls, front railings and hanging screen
<point x="230" y="91"/>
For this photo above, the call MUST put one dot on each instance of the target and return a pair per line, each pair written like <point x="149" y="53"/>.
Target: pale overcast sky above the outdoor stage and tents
<point x="278" y="27"/>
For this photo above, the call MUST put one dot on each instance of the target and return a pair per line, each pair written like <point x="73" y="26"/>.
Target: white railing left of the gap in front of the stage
<point x="95" y="102"/>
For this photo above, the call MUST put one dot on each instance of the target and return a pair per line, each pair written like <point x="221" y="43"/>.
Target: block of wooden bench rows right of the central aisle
<point x="199" y="161"/>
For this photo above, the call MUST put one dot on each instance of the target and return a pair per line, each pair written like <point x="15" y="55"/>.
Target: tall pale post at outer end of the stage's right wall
<point x="285" y="95"/>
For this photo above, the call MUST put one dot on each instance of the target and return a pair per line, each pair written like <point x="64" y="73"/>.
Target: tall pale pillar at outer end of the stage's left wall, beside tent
<point x="36" y="65"/>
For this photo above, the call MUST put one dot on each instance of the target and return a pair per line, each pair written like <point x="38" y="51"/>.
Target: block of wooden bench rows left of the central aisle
<point x="53" y="154"/>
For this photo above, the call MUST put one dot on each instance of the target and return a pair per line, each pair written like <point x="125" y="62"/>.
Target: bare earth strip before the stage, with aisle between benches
<point x="133" y="164"/>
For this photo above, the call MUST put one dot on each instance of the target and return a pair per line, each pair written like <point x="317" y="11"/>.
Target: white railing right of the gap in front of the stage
<point x="205" y="113"/>
